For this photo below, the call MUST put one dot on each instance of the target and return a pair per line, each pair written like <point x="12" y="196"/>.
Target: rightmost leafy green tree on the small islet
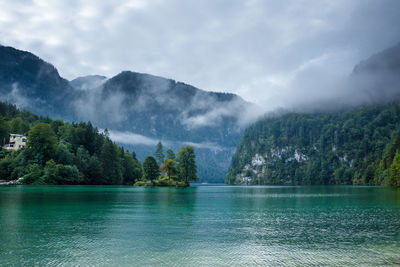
<point x="187" y="164"/>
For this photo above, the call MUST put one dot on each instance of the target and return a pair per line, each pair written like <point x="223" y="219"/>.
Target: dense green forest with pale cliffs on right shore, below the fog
<point x="359" y="146"/>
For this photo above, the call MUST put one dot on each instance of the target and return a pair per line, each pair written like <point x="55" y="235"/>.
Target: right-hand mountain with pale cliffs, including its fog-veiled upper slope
<point x="356" y="145"/>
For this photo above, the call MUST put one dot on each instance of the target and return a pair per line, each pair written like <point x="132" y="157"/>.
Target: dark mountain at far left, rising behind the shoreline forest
<point x="30" y="82"/>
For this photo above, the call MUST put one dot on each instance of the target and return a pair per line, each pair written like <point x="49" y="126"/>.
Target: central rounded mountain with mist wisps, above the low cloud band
<point x="157" y="107"/>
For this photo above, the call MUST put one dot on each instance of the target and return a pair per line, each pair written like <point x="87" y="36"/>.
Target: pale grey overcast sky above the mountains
<point x="271" y="52"/>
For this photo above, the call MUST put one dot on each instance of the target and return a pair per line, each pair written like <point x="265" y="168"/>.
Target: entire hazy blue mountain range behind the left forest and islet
<point x="138" y="109"/>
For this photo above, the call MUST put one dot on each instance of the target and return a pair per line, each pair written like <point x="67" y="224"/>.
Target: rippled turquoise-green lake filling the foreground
<point x="199" y="226"/>
